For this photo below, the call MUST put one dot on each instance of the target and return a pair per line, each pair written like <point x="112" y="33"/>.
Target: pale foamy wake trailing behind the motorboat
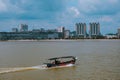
<point x="19" y="69"/>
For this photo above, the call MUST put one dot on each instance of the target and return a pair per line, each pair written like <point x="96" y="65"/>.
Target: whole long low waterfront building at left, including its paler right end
<point x="31" y="35"/>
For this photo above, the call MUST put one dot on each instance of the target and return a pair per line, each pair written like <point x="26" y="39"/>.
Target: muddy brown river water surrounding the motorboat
<point x="97" y="59"/>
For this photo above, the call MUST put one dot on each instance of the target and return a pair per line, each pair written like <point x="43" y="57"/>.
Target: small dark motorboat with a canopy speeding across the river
<point x="57" y="62"/>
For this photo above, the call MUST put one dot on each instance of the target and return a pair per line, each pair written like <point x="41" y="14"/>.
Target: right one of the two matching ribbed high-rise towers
<point x="94" y="30"/>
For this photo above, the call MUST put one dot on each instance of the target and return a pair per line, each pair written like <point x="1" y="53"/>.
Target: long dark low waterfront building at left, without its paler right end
<point x="22" y="35"/>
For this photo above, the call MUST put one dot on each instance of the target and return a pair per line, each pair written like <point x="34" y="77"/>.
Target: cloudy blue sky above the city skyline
<point x="51" y="14"/>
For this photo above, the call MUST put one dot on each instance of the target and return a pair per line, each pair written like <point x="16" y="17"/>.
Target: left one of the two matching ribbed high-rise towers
<point x="81" y="30"/>
